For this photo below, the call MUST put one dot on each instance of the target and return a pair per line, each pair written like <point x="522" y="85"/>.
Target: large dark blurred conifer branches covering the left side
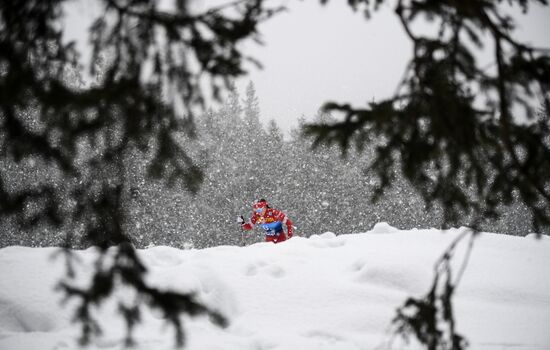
<point x="147" y="65"/>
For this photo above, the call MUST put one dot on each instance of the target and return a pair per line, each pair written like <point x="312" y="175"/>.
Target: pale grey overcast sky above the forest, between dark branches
<point x="314" y="54"/>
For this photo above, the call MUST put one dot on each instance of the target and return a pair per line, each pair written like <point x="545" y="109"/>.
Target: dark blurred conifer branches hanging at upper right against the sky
<point x="444" y="129"/>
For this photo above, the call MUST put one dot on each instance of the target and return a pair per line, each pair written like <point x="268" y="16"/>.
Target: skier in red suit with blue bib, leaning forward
<point x="271" y="220"/>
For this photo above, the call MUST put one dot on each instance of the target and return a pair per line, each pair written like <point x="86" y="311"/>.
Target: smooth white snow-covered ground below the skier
<point x="325" y="292"/>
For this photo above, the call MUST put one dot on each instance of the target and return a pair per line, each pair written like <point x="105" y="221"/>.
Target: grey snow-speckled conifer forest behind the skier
<point x="243" y="160"/>
